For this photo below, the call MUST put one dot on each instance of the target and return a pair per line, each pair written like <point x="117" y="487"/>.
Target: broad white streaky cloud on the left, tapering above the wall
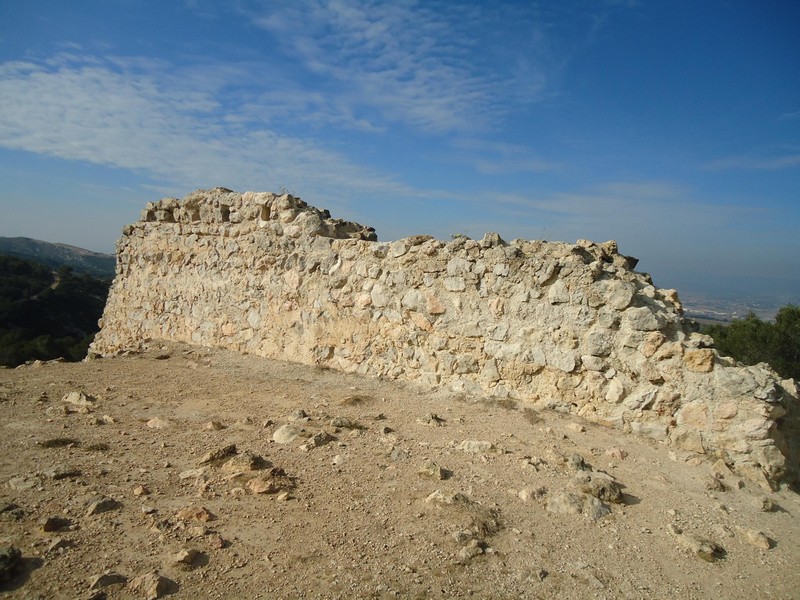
<point x="127" y="113"/>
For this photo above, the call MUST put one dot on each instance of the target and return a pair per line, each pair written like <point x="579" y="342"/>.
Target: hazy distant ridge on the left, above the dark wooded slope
<point x="56" y="256"/>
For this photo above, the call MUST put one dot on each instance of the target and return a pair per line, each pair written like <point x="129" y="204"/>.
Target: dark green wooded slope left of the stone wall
<point x="47" y="314"/>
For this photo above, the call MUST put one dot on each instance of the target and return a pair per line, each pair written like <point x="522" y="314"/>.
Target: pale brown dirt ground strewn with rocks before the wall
<point x="193" y="473"/>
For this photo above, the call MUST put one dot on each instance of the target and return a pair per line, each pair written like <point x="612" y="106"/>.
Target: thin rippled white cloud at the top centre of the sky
<point x="405" y="62"/>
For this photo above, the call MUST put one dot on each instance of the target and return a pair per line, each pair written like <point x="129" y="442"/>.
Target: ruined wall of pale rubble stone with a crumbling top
<point x="566" y="326"/>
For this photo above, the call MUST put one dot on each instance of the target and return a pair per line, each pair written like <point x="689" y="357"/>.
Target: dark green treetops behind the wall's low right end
<point x="751" y="340"/>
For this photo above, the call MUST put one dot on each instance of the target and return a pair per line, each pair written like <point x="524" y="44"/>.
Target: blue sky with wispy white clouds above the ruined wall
<point x="672" y="127"/>
